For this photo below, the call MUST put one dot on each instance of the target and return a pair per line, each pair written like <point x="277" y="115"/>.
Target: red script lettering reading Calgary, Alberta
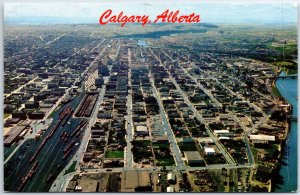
<point x="166" y="16"/>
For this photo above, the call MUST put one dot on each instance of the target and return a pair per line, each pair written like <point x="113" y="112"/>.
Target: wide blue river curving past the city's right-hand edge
<point x="288" y="172"/>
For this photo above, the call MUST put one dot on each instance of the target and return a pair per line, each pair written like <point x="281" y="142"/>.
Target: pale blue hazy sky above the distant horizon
<point x="39" y="13"/>
